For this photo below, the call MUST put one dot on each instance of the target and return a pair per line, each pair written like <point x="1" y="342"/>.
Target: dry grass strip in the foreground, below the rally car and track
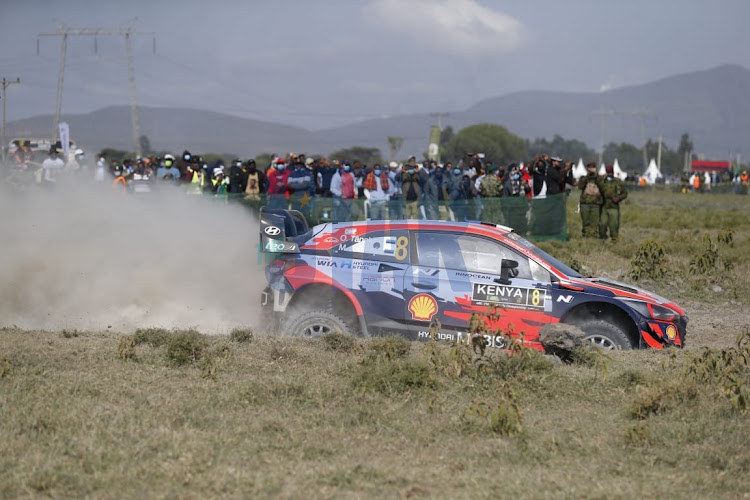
<point x="295" y="418"/>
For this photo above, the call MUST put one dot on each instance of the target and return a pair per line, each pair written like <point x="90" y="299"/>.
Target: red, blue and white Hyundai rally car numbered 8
<point x="386" y="277"/>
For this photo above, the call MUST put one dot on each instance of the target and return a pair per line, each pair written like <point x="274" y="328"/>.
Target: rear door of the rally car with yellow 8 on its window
<point x="372" y="266"/>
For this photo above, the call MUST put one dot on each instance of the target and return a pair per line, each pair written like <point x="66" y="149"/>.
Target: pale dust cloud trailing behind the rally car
<point x="83" y="257"/>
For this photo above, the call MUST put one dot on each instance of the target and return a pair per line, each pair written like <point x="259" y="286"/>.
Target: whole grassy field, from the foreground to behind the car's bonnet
<point x="177" y="414"/>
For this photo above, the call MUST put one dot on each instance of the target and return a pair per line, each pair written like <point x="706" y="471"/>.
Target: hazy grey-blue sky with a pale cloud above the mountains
<point x="324" y="63"/>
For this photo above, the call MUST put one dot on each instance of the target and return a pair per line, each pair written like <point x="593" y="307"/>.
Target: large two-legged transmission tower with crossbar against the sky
<point x="127" y="32"/>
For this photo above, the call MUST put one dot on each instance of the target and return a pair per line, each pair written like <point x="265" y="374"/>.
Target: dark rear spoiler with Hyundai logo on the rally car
<point x="282" y="230"/>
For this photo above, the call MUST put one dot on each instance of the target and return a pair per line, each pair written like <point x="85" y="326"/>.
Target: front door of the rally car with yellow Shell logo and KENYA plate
<point x="459" y="274"/>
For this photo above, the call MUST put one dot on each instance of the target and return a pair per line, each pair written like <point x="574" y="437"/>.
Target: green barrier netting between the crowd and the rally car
<point x="540" y="219"/>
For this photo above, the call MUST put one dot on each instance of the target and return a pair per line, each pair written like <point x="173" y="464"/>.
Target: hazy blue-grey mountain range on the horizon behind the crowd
<point x="712" y="106"/>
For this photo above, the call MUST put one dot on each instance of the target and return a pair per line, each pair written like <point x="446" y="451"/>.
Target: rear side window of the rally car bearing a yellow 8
<point x="391" y="246"/>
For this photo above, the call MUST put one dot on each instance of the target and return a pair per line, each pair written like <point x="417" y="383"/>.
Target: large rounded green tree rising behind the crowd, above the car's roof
<point x="494" y="141"/>
